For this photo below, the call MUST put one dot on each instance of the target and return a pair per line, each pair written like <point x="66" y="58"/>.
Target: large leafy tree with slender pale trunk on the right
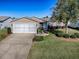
<point x="65" y="11"/>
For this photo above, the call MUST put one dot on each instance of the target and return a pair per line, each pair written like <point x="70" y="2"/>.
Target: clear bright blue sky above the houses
<point x="22" y="8"/>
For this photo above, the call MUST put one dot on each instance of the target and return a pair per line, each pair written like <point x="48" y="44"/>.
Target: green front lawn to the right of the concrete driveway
<point x="54" y="48"/>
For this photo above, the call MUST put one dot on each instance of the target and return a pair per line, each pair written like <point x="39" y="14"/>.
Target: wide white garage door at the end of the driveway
<point x="24" y="28"/>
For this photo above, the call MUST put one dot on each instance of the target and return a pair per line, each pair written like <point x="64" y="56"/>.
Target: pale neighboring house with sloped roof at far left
<point x="5" y="22"/>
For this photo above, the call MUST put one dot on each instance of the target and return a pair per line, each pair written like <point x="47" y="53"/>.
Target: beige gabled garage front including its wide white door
<point x="24" y="25"/>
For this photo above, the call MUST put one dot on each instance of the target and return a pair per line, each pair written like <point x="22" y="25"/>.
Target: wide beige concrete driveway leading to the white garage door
<point x="16" y="46"/>
